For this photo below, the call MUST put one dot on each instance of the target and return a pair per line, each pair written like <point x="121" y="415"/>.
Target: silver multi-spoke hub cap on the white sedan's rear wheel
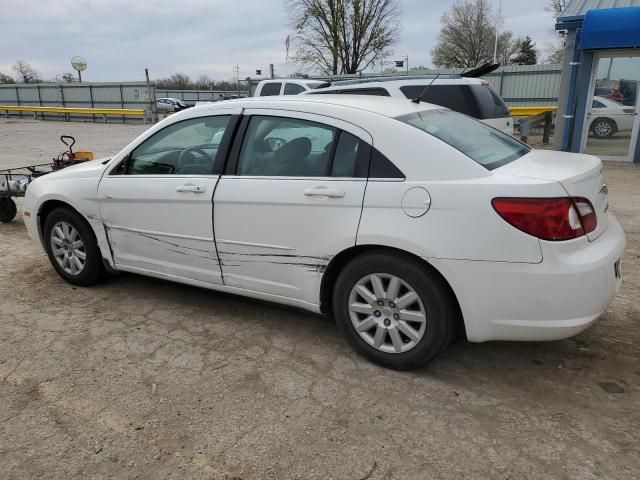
<point x="387" y="313"/>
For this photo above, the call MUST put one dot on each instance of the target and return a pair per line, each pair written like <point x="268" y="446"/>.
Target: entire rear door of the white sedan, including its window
<point x="289" y="200"/>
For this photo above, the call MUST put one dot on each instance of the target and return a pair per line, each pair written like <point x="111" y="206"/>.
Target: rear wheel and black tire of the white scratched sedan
<point x="393" y="310"/>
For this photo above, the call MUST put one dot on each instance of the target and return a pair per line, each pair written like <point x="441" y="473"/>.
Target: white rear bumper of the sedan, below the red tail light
<point x="557" y="298"/>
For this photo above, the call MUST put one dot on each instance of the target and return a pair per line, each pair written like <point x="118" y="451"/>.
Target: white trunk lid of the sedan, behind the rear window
<point x="580" y="176"/>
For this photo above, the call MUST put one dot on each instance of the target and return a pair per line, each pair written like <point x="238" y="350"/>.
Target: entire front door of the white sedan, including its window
<point x="156" y="204"/>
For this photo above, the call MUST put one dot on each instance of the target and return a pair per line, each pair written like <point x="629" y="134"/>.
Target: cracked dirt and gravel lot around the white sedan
<point x="140" y="378"/>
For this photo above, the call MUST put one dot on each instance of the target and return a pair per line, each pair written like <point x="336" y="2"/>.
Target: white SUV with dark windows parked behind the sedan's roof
<point x="471" y="96"/>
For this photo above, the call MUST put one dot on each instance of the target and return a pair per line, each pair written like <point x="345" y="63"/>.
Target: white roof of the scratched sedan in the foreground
<point x="386" y="106"/>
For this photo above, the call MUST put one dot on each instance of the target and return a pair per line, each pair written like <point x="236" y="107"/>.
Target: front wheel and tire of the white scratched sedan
<point x="72" y="247"/>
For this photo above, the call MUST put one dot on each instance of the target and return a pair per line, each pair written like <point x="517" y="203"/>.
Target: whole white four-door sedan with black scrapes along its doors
<point x="403" y="221"/>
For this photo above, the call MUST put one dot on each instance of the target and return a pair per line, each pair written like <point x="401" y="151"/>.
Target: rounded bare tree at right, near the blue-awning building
<point x="467" y="35"/>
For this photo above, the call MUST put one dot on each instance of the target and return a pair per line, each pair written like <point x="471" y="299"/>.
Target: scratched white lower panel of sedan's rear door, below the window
<point x="273" y="238"/>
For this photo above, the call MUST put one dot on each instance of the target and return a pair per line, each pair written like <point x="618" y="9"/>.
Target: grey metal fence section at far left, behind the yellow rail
<point x="81" y="95"/>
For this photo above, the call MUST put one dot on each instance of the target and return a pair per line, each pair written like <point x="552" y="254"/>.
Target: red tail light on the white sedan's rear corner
<point x="560" y="218"/>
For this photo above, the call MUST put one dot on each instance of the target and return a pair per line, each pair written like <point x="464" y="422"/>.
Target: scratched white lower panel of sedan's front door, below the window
<point x="153" y="226"/>
